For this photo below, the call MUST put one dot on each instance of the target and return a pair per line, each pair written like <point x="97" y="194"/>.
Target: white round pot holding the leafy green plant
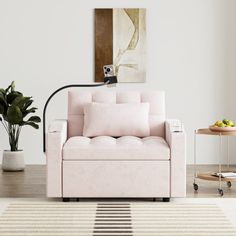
<point x="13" y="161"/>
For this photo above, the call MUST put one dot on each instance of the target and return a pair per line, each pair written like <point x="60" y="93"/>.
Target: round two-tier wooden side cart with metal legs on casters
<point x="209" y="176"/>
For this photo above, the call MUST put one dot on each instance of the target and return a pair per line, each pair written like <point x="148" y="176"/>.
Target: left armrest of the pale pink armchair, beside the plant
<point x="56" y="137"/>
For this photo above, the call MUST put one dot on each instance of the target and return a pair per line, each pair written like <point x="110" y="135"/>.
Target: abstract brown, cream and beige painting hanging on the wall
<point x="120" y="39"/>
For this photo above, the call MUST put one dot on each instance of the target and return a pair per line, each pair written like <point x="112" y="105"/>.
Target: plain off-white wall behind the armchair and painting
<point x="191" y="55"/>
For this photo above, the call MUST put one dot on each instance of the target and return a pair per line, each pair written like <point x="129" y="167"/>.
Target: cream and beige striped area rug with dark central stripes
<point x="110" y="218"/>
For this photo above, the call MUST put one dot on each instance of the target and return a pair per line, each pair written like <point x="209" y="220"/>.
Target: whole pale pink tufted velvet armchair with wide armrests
<point x="83" y="165"/>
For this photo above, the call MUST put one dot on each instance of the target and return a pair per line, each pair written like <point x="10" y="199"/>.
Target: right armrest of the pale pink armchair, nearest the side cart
<point x="177" y="144"/>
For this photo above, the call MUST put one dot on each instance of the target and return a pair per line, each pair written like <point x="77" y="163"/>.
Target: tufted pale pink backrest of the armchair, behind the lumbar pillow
<point x="77" y="100"/>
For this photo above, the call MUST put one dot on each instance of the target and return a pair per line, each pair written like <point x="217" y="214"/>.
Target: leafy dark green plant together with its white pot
<point x="15" y="109"/>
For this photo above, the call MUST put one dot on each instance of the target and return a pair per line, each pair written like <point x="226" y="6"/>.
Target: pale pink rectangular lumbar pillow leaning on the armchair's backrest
<point x="116" y="119"/>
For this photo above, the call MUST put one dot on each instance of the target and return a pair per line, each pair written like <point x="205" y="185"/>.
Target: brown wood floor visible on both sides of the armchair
<point x="32" y="183"/>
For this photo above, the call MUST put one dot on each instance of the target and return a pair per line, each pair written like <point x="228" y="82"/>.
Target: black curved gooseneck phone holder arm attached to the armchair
<point x="107" y="81"/>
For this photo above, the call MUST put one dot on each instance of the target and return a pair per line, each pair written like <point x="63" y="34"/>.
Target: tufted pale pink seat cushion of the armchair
<point x="125" y="147"/>
